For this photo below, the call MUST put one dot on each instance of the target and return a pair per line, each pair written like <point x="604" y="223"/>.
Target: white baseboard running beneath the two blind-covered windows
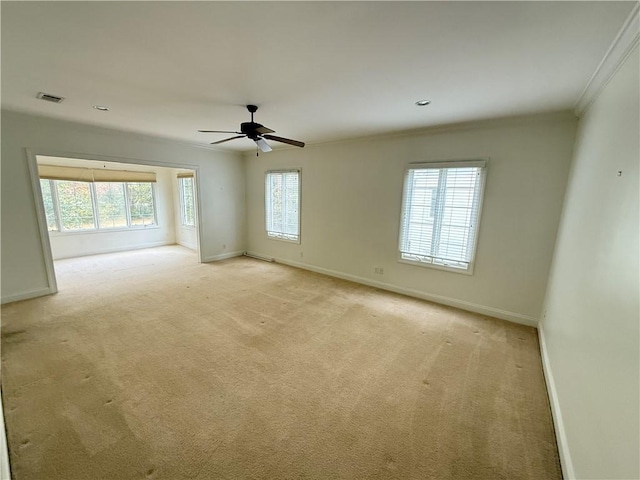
<point x="452" y="302"/>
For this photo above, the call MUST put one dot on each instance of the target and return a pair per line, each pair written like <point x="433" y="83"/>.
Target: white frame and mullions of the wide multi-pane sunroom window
<point x="96" y="220"/>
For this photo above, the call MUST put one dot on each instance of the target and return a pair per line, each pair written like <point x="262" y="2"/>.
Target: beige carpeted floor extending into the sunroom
<point x="148" y="365"/>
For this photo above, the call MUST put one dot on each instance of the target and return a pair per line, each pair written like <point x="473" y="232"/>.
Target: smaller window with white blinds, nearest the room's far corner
<point x="282" y="205"/>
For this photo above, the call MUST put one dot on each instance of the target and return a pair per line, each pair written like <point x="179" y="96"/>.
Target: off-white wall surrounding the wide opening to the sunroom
<point x="221" y="177"/>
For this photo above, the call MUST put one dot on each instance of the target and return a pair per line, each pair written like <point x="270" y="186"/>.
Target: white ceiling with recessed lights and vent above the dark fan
<point x="319" y="71"/>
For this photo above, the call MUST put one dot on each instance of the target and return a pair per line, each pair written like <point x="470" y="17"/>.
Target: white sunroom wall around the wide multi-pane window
<point x="77" y="244"/>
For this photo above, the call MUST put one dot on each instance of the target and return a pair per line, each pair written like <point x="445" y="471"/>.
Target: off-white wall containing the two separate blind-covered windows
<point x="351" y="196"/>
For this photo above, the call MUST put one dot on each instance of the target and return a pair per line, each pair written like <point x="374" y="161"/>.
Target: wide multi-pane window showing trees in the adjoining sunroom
<point x="81" y="206"/>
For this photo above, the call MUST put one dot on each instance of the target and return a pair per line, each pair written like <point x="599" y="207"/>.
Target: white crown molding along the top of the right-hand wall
<point x="623" y="44"/>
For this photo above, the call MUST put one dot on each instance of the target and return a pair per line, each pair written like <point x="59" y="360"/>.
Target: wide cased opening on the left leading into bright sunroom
<point x="93" y="207"/>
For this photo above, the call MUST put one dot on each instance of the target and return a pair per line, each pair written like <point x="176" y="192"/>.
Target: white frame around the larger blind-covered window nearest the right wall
<point x="482" y="163"/>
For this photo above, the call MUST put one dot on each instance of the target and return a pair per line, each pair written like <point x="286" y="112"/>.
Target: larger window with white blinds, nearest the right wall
<point x="440" y="212"/>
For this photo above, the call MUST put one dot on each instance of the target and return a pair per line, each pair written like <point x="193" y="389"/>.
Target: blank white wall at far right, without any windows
<point x="591" y="329"/>
